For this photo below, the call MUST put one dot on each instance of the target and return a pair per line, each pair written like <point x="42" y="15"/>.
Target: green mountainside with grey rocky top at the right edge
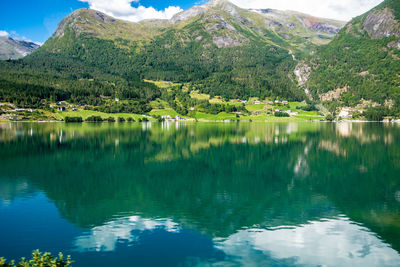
<point x="362" y="64"/>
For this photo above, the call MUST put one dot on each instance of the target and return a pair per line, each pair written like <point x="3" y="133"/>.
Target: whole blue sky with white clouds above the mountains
<point x="37" y="20"/>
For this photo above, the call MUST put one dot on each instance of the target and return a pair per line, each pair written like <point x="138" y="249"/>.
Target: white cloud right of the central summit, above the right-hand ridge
<point x="334" y="9"/>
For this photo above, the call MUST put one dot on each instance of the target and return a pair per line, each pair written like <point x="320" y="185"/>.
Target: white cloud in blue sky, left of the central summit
<point x="122" y="9"/>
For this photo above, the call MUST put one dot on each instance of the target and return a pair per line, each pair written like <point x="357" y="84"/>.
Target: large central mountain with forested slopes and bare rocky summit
<point x="218" y="48"/>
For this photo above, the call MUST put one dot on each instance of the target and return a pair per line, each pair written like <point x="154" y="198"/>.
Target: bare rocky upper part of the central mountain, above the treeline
<point x="228" y="25"/>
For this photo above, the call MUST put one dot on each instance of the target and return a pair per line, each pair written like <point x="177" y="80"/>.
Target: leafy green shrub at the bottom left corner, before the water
<point x="39" y="259"/>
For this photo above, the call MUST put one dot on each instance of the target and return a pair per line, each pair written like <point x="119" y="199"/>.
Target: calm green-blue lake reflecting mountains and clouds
<point x="178" y="194"/>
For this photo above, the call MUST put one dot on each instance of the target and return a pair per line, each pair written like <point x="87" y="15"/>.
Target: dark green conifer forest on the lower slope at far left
<point x="48" y="77"/>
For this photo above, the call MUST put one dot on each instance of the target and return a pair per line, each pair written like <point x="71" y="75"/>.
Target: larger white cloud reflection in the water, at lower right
<point x="333" y="242"/>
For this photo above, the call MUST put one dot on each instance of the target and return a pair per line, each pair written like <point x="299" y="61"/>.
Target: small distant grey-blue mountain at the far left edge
<point x="15" y="49"/>
